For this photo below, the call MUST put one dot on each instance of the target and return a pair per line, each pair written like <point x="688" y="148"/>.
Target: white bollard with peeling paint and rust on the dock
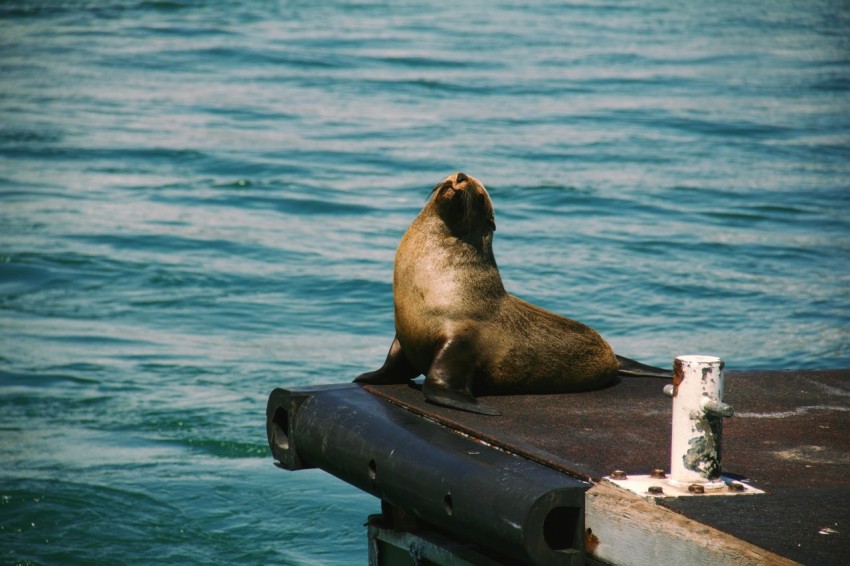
<point x="698" y="412"/>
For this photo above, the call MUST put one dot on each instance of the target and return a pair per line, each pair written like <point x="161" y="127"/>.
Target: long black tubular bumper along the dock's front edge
<point x="512" y="506"/>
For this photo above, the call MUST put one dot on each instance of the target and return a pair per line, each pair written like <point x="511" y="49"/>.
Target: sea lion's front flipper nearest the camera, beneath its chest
<point x="449" y="379"/>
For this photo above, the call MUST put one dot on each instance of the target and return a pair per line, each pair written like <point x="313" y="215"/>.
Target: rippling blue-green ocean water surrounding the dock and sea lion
<point x="200" y="202"/>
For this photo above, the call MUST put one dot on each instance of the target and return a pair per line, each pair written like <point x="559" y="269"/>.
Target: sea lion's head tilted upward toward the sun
<point x="464" y="206"/>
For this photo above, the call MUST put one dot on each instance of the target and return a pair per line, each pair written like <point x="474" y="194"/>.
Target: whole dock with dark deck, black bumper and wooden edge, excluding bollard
<point x="537" y="485"/>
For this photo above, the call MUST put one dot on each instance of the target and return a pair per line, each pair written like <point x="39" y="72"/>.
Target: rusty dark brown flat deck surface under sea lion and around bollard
<point x="790" y="436"/>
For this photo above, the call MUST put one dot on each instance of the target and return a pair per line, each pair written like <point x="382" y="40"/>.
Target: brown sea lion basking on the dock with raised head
<point x="456" y="324"/>
